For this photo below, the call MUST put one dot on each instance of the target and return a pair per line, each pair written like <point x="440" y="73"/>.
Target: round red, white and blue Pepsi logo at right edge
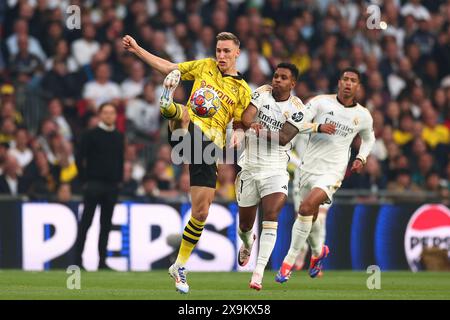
<point x="428" y="227"/>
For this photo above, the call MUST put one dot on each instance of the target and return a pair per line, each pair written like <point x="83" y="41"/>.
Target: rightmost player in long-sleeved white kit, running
<point x="325" y="162"/>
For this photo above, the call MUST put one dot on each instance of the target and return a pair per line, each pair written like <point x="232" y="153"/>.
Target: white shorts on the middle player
<point x="250" y="188"/>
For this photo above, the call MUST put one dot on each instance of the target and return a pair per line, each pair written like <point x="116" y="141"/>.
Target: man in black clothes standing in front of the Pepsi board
<point x="100" y="166"/>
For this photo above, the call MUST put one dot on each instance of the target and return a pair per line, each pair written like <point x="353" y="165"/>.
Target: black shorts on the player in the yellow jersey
<point x="202" y="157"/>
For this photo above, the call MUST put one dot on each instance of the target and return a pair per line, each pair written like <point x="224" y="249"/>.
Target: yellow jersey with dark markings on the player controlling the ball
<point x="233" y="91"/>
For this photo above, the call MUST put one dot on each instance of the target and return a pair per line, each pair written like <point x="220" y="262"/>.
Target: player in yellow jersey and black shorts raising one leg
<point x="234" y="93"/>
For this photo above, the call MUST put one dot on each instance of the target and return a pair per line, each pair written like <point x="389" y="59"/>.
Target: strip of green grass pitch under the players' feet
<point x="222" y="286"/>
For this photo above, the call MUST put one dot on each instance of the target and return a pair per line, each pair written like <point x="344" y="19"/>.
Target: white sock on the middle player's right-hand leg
<point x="266" y="243"/>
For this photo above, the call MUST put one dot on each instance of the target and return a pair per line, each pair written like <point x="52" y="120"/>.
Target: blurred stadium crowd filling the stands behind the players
<point x="53" y="78"/>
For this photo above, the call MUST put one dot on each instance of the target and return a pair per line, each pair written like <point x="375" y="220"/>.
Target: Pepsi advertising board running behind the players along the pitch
<point x="41" y="236"/>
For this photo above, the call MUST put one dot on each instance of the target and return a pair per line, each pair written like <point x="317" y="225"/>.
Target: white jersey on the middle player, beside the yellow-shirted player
<point x="260" y="154"/>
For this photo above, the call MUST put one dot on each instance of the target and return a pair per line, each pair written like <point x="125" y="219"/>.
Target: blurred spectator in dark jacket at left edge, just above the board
<point x="10" y="181"/>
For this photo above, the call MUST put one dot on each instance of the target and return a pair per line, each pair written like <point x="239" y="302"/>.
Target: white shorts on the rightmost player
<point x="305" y="181"/>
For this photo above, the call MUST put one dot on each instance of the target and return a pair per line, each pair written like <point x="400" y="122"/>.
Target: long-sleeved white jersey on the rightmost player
<point x="330" y="153"/>
